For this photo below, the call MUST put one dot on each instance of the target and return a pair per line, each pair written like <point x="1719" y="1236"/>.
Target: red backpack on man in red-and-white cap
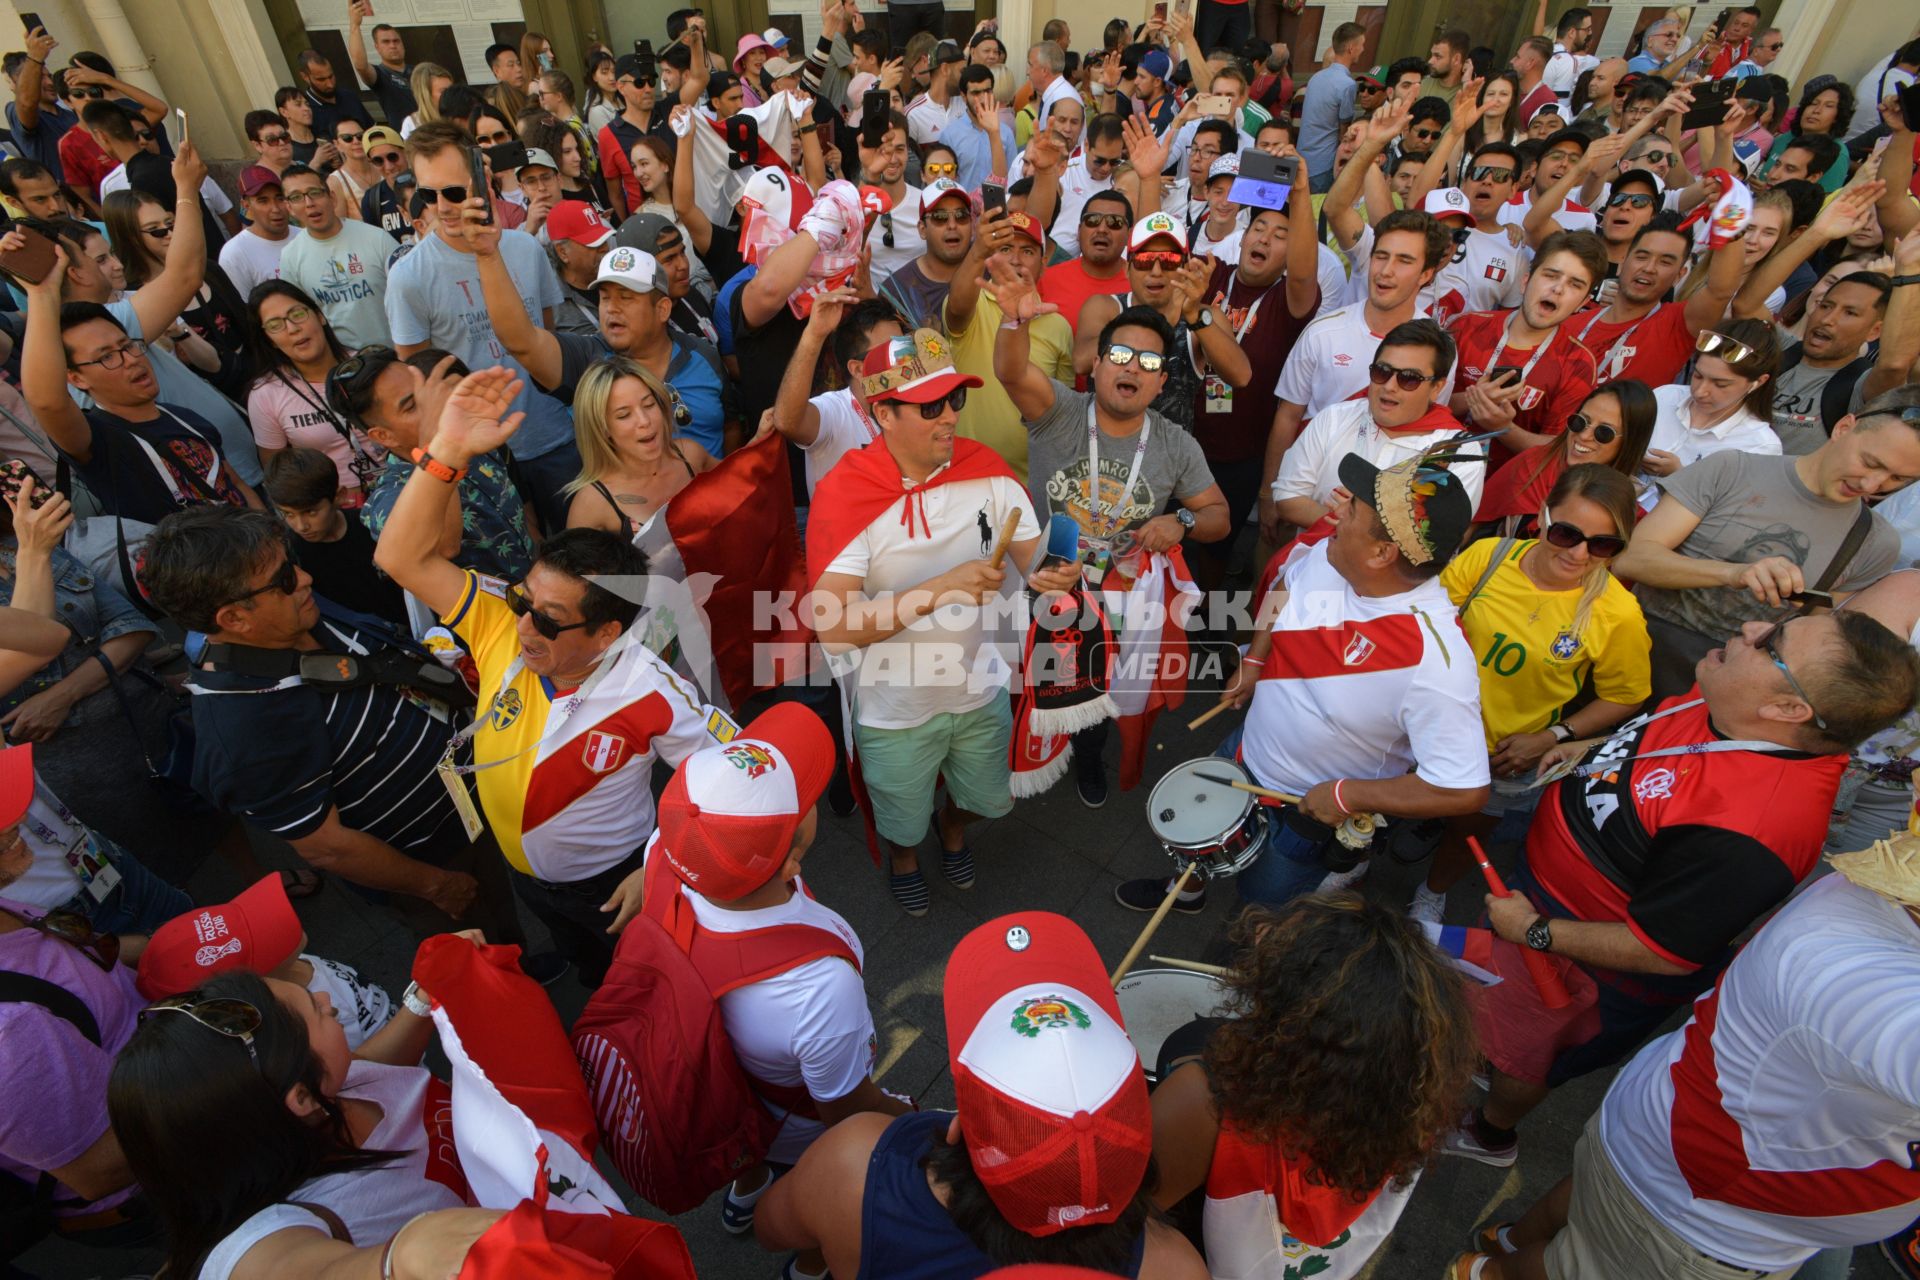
<point x="675" y="1108"/>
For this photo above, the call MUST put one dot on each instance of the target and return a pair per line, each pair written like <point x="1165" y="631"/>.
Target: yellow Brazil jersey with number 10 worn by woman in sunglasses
<point x="1531" y="661"/>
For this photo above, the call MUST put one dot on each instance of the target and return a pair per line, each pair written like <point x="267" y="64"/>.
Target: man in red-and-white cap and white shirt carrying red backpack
<point x="734" y="824"/>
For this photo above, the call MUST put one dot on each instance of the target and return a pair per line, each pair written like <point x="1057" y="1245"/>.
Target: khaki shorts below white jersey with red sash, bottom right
<point x="1610" y="1235"/>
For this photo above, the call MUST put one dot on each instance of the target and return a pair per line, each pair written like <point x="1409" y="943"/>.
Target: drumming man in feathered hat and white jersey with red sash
<point x="1364" y="692"/>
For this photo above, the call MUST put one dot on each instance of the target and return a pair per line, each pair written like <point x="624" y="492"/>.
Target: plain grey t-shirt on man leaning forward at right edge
<point x="1754" y="508"/>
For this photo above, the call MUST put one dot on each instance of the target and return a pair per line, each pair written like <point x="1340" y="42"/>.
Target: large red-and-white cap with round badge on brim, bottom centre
<point x="1053" y="1104"/>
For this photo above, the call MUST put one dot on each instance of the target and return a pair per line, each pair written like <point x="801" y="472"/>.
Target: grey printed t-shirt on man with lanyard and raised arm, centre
<point x="1057" y="465"/>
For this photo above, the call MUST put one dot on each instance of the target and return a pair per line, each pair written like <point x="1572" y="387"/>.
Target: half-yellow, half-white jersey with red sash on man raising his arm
<point x="567" y="774"/>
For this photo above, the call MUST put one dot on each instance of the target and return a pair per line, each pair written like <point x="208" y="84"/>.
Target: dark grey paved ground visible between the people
<point x="1053" y="855"/>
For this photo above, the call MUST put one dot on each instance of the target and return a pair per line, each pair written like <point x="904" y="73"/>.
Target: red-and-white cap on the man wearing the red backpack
<point x="731" y="813"/>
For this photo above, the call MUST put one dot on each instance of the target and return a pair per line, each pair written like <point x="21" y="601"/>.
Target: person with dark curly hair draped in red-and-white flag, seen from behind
<point x="1310" y="1112"/>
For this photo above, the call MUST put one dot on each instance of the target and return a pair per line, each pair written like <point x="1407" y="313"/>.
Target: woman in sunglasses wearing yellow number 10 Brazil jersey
<point x="1543" y="619"/>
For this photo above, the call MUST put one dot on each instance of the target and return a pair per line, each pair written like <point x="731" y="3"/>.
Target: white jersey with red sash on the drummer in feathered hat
<point x="1364" y="686"/>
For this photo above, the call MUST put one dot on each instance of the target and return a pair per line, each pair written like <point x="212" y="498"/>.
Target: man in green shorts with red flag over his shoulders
<point x="901" y="552"/>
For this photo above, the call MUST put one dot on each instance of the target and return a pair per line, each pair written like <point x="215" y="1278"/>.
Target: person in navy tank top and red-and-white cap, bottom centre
<point x="1045" y="1156"/>
